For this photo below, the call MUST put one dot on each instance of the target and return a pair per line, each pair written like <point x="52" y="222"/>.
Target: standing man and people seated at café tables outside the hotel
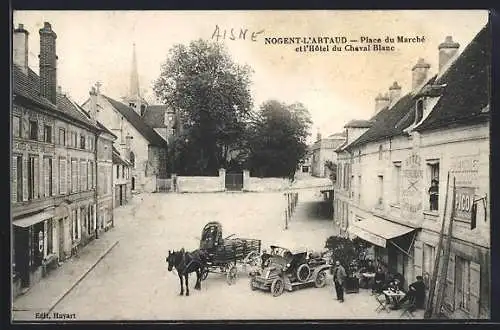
<point x="415" y="293"/>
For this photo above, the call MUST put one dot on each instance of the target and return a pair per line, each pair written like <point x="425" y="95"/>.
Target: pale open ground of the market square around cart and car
<point x="132" y="282"/>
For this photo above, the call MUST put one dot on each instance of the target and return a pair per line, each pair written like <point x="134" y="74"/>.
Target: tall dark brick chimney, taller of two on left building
<point x="48" y="63"/>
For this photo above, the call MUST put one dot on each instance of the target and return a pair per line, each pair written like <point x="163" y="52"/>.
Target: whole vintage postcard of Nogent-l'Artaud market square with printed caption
<point x="250" y="165"/>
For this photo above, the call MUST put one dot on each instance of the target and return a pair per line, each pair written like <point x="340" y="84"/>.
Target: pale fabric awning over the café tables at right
<point x="378" y="231"/>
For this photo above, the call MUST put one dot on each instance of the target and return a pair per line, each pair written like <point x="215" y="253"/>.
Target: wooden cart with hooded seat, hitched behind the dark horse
<point x="224" y="254"/>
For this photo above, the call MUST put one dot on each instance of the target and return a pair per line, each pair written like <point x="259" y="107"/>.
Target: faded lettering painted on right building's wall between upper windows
<point x="412" y="173"/>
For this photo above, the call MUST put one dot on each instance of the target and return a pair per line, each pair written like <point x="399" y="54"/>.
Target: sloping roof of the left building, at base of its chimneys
<point x="29" y="87"/>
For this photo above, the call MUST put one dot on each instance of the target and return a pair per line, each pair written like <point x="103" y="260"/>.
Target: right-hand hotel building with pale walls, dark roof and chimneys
<point x="439" y="130"/>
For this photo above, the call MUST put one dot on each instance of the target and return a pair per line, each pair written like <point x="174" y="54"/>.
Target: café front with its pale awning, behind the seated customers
<point x="393" y="245"/>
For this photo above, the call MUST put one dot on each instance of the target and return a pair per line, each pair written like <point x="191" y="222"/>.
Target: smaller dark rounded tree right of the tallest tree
<point x="276" y="139"/>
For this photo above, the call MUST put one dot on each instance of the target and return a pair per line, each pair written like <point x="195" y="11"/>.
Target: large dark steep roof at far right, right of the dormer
<point x="467" y="90"/>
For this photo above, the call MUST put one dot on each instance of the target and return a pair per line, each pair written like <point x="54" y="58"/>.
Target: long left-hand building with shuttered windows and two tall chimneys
<point x="53" y="168"/>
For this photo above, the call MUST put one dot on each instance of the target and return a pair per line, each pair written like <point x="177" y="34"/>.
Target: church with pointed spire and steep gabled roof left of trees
<point x="143" y="131"/>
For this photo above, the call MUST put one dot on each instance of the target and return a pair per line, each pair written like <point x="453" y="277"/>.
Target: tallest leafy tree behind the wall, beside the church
<point x="211" y="96"/>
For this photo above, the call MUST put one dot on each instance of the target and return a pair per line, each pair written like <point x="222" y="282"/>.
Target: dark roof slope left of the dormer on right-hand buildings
<point x="389" y="121"/>
